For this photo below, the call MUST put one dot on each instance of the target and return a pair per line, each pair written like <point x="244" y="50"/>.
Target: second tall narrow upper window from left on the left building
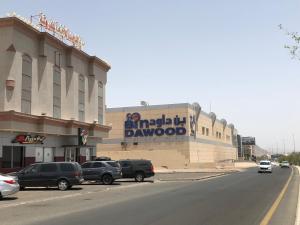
<point x="56" y="93"/>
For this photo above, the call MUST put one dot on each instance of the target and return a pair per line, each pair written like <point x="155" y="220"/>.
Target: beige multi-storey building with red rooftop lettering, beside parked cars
<point x="52" y="97"/>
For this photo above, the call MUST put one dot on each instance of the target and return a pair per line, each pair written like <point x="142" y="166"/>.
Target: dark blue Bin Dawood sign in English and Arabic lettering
<point x="135" y="126"/>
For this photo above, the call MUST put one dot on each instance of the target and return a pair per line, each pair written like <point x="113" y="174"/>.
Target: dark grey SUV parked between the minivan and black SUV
<point x="104" y="171"/>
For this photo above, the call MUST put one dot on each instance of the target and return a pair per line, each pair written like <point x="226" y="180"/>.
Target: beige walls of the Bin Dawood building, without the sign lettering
<point x="169" y="151"/>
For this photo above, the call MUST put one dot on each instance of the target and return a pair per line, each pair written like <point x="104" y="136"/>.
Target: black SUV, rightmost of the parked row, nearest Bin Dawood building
<point x="137" y="169"/>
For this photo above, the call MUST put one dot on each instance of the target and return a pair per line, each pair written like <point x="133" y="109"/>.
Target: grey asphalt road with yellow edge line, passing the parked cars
<point x="236" y="199"/>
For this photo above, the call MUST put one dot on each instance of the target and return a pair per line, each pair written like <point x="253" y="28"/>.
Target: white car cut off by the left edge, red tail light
<point x="8" y="185"/>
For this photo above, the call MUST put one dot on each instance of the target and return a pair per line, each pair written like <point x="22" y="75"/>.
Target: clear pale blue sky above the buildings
<point x="227" y="53"/>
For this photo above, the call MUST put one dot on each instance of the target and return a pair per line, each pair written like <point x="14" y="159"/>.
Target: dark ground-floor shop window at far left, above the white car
<point x="12" y="156"/>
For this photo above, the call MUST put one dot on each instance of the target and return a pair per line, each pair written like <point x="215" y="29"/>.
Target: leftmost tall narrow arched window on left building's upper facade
<point x="26" y="84"/>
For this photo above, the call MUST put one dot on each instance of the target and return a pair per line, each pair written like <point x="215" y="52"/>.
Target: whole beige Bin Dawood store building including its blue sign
<point x="172" y="136"/>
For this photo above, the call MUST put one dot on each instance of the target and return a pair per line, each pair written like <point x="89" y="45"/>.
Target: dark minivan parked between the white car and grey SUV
<point x="61" y="174"/>
